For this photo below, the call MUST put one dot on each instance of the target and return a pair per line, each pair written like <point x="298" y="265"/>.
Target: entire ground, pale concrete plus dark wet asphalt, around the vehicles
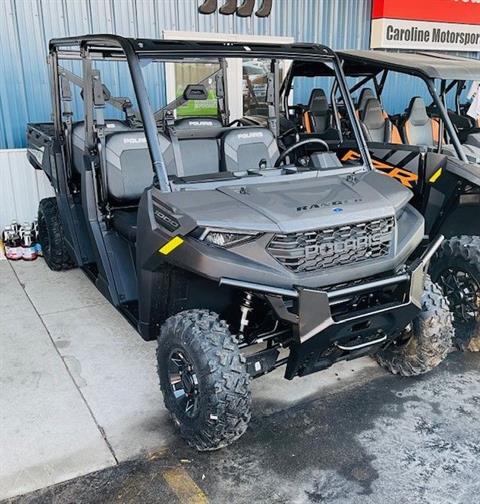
<point x="82" y="418"/>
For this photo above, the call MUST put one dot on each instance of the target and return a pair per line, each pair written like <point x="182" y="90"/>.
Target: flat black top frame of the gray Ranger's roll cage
<point x="114" y="46"/>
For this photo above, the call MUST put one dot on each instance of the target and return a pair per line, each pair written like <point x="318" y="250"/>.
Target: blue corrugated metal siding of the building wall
<point x="27" y="25"/>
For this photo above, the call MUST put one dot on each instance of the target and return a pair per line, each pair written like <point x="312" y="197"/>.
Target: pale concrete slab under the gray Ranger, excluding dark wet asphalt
<point x="79" y="389"/>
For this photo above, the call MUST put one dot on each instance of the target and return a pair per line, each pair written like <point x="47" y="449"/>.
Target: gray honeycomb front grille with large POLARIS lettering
<point x="321" y="249"/>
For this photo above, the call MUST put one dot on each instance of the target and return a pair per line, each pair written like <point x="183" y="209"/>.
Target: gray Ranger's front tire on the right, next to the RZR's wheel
<point x="427" y="343"/>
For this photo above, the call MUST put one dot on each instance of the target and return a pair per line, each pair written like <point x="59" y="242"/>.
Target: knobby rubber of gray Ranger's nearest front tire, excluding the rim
<point x="227" y="397"/>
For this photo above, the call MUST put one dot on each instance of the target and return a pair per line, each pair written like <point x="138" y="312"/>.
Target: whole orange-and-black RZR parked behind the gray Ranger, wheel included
<point x="429" y="144"/>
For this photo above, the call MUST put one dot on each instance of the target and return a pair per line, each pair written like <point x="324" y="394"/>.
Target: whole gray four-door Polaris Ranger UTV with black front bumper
<point x="237" y="253"/>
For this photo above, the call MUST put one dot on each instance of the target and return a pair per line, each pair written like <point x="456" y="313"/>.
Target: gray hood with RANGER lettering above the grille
<point x="294" y="205"/>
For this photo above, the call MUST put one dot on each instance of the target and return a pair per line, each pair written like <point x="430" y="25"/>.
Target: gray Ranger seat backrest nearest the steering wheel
<point x="249" y="148"/>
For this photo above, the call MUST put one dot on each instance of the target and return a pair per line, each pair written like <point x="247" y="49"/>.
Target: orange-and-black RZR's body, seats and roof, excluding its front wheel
<point x="428" y="148"/>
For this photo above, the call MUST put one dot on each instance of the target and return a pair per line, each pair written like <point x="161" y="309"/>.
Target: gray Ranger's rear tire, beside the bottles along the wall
<point x="51" y="236"/>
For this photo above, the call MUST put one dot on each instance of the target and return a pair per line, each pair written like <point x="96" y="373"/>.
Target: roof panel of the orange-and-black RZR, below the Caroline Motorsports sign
<point x="425" y="65"/>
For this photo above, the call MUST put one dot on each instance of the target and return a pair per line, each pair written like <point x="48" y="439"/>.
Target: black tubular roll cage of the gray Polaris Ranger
<point x="113" y="47"/>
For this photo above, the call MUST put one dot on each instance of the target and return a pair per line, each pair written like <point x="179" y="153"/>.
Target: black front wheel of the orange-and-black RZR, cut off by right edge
<point x="456" y="269"/>
